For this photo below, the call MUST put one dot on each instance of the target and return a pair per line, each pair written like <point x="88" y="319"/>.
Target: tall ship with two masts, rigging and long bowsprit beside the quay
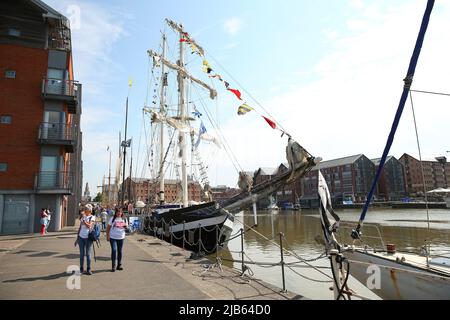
<point x="203" y="225"/>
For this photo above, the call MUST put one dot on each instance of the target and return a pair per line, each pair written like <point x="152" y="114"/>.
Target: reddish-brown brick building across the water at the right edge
<point x="436" y="173"/>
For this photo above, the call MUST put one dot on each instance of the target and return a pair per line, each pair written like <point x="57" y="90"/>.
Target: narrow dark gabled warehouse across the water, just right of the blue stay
<point x="391" y="185"/>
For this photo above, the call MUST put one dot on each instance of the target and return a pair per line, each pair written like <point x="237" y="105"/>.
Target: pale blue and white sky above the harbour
<point x="330" y="73"/>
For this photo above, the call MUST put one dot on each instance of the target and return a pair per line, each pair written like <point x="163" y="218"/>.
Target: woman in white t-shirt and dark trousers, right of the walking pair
<point x="115" y="234"/>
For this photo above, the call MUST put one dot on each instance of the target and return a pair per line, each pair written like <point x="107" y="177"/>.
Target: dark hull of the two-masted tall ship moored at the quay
<point x="208" y="222"/>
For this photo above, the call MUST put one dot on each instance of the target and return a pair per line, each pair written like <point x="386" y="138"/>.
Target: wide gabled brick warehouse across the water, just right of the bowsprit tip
<point x="348" y="179"/>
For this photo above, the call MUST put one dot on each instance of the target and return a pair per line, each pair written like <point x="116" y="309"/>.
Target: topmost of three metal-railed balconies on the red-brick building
<point x="63" y="90"/>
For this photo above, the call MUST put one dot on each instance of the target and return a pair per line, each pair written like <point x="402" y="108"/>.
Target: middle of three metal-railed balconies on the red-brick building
<point x="60" y="134"/>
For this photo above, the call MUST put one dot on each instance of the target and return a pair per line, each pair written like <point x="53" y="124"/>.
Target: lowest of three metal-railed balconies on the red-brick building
<point x="53" y="182"/>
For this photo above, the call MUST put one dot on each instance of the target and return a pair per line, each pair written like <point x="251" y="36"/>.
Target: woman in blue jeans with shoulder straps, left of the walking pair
<point x="84" y="243"/>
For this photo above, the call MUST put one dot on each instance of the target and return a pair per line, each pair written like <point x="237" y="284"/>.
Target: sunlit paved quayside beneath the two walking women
<point x="34" y="267"/>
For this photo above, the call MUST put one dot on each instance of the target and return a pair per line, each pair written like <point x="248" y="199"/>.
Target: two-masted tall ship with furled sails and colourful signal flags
<point x="203" y="227"/>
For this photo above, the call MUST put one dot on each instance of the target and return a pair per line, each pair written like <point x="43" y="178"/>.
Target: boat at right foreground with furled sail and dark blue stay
<point x="388" y="273"/>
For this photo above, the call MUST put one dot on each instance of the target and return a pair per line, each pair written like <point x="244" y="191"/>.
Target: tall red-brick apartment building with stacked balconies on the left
<point x="40" y="109"/>
